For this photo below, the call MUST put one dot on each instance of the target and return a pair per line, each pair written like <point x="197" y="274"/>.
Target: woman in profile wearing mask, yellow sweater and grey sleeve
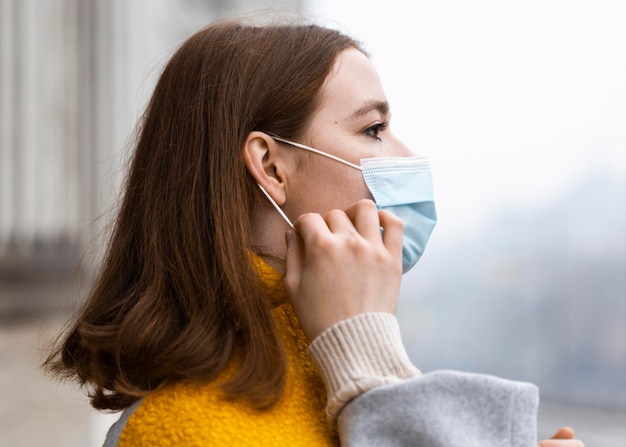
<point x="190" y="327"/>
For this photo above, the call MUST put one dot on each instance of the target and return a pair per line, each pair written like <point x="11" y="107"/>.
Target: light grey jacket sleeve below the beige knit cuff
<point x="443" y="408"/>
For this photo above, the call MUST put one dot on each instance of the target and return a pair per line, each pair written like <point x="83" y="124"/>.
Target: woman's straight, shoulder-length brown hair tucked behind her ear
<point x="177" y="294"/>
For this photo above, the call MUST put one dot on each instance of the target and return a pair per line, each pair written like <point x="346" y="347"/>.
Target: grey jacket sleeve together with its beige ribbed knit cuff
<point x="381" y="399"/>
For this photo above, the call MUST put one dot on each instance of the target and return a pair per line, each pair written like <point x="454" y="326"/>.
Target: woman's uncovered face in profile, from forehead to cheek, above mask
<point x="351" y="122"/>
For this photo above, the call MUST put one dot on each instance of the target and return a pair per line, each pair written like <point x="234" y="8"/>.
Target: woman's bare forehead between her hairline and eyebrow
<point x="352" y="83"/>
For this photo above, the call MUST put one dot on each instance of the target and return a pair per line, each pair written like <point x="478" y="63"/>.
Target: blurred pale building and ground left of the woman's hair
<point x="74" y="78"/>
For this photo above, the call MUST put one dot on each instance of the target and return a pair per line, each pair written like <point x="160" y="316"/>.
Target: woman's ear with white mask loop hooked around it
<point x="263" y="160"/>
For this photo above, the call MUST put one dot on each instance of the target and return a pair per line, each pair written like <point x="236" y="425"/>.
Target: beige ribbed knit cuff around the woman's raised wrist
<point x="358" y="354"/>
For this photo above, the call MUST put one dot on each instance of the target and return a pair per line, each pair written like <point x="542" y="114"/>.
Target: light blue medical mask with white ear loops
<point x="400" y="185"/>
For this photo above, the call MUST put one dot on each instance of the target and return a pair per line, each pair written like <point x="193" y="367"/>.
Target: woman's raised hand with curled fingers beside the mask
<point x="340" y="265"/>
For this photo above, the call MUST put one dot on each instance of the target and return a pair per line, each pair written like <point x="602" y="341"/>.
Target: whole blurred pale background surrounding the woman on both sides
<point x="520" y="106"/>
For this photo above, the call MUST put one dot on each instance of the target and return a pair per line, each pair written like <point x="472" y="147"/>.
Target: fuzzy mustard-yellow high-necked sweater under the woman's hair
<point x="193" y="414"/>
